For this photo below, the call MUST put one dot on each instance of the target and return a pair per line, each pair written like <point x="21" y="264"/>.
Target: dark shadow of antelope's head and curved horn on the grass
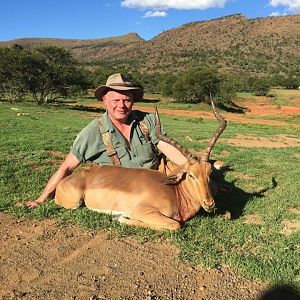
<point x="233" y="199"/>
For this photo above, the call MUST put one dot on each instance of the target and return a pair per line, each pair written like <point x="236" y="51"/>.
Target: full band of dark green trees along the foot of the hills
<point x="49" y="73"/>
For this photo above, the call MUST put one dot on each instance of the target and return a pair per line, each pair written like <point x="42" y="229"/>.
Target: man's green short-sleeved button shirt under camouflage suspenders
<point x="89" y="146"/>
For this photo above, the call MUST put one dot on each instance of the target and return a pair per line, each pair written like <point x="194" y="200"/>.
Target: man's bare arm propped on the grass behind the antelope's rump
<point x="65" y="169"/>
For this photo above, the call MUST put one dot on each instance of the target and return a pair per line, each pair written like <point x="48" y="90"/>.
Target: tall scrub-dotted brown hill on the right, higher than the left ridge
<point x="233" y="44"/>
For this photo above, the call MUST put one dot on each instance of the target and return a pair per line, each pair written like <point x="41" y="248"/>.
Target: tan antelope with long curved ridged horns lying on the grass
<point x="144" y="197"/>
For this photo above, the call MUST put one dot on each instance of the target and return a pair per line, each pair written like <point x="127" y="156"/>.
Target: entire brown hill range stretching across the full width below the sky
<point x="233" y="44"/>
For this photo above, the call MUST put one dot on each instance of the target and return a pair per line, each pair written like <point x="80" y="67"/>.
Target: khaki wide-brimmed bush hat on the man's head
<point x="118" y="82"/>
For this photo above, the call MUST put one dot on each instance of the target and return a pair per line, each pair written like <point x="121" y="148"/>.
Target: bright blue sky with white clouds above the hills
<point x="90" y="19"/>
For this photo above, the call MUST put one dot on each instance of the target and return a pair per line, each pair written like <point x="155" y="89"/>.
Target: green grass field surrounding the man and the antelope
<point x="260" y="241"/>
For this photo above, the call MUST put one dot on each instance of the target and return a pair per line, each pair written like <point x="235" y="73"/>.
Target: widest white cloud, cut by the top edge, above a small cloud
<point x="176" y="4"/>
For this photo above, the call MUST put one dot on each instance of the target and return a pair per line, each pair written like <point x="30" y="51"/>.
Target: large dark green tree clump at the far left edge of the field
<point x="46" y="73"/>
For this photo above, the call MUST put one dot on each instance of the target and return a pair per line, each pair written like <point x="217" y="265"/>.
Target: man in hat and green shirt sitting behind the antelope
<point x="121" y="136"/>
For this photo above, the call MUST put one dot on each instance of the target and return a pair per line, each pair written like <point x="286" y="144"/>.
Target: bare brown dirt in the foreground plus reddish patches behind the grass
<point x="43" y="260"/>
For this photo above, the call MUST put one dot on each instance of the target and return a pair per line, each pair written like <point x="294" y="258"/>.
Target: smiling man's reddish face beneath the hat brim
<point x="118" y="105"/>
